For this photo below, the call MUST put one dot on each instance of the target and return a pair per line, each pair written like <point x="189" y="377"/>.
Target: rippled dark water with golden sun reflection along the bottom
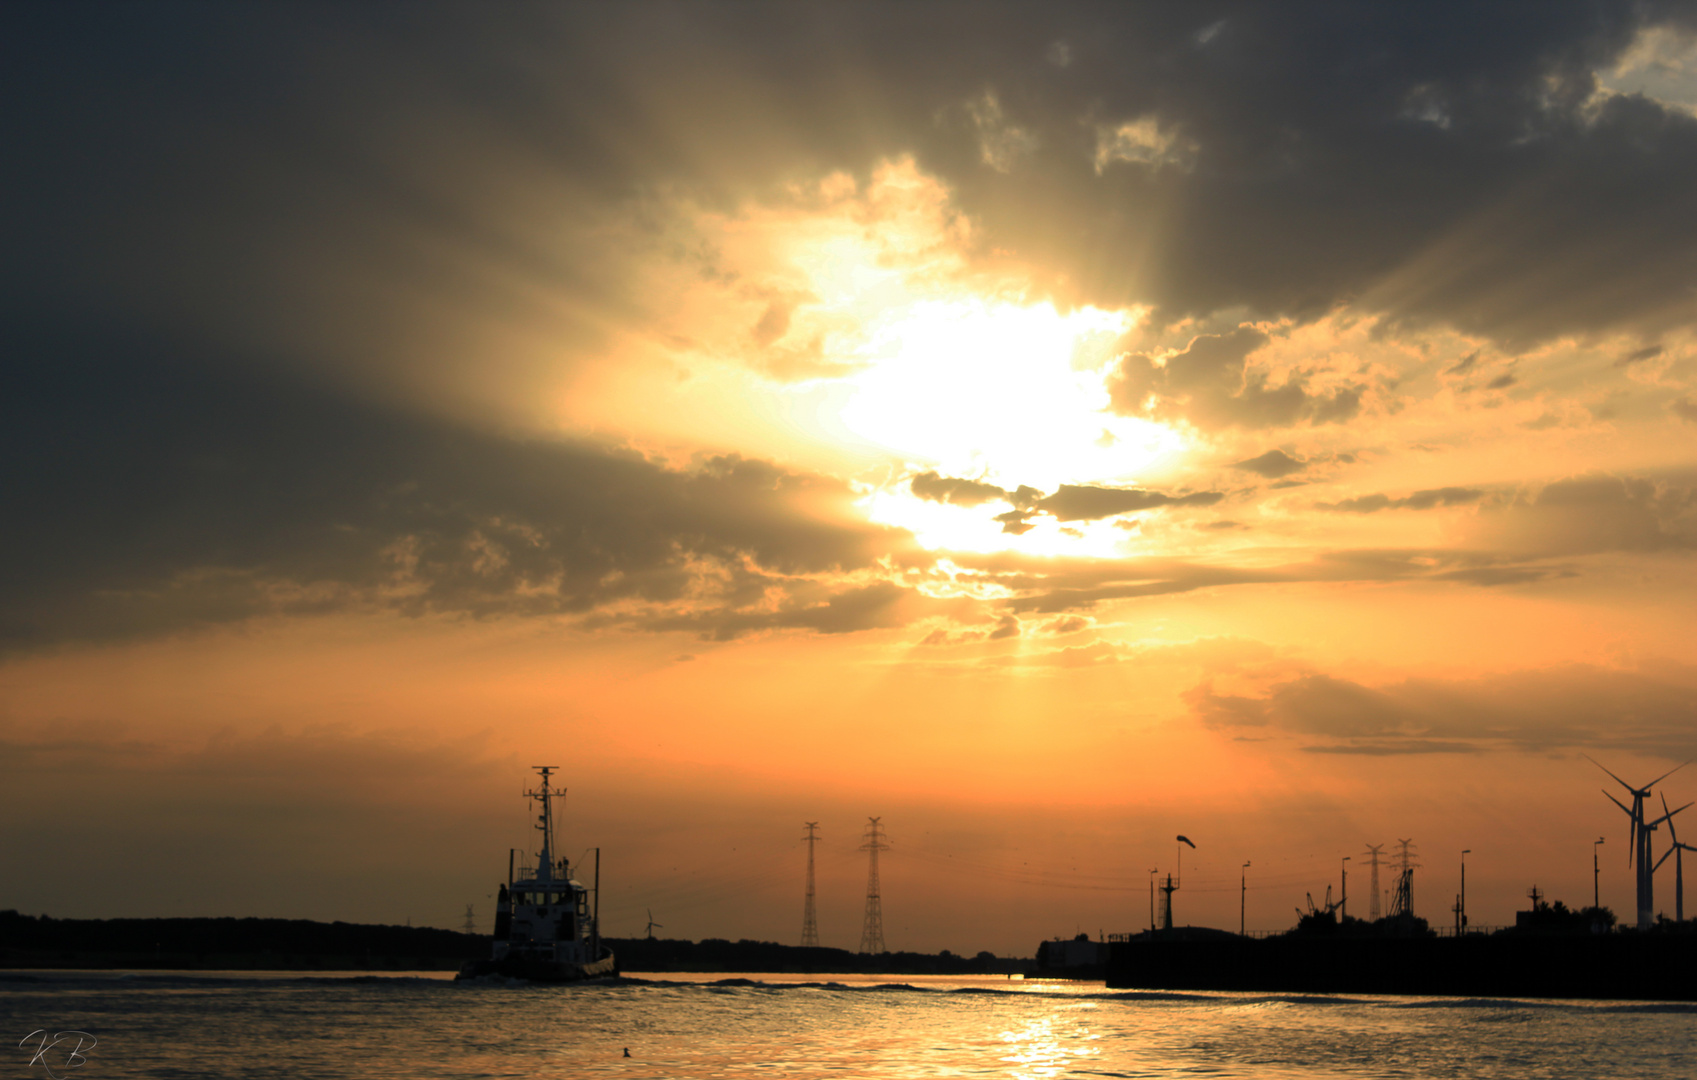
<point x="293" y="1027"/>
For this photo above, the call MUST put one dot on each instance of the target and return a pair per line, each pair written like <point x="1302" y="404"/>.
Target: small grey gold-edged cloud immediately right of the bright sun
<point x="1213" y="386"/>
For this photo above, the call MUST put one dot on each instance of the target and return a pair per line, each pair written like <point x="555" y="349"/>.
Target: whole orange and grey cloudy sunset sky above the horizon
<point x="1050" y="429"/>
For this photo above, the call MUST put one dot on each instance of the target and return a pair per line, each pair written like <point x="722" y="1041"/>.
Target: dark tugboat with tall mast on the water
<point x="546" y="928"/>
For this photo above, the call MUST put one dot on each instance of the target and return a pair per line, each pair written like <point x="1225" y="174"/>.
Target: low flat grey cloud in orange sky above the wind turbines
<point x="1647" y="711"/>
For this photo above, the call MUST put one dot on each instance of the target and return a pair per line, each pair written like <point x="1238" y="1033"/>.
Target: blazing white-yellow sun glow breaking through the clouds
<point x="858" y="323"/>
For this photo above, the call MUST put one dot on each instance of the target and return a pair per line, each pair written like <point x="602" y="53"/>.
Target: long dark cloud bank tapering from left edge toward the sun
<point x="145" y="497"/>
